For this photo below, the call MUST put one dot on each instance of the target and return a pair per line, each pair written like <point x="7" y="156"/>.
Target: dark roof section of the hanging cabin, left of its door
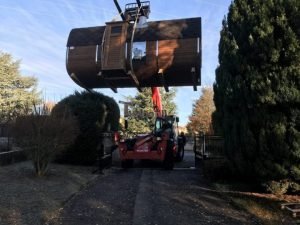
<point x="86" y="36"/>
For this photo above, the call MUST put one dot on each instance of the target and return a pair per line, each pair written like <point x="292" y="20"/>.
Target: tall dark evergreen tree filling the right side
<point x="257" y="94"/>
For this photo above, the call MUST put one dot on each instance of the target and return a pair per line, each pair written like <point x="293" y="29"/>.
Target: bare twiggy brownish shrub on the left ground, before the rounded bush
<point x="45" y="135"/>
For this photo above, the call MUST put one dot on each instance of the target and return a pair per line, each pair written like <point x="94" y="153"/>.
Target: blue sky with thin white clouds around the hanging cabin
<point x="36" y="31"/>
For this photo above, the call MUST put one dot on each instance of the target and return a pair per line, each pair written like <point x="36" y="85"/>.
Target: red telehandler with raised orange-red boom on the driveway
<point x="160" y="145"/>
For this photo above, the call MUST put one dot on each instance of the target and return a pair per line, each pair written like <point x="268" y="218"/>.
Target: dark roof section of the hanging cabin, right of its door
<point x="169" y="29"/>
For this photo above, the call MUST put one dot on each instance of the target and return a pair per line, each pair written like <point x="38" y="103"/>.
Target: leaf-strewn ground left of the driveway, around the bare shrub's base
<point x="27" y="199"/>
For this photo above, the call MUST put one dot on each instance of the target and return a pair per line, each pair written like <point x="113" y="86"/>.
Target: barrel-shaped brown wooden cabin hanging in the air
<point x="163" y="54"/>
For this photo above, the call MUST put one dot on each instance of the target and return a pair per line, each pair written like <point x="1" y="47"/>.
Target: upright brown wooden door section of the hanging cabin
<point x="114" y="46"/>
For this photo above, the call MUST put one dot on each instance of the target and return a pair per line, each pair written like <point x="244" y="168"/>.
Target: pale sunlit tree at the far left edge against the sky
<point x="17" y="93"/>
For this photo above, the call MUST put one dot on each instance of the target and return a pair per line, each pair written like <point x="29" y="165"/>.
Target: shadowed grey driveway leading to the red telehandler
<point x="153" y="196"/>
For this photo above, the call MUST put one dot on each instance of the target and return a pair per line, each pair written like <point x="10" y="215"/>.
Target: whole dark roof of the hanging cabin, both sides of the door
<point x="156" y="30"/>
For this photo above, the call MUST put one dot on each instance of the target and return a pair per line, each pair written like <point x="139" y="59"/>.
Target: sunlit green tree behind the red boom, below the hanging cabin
<point x="142" y="114"/>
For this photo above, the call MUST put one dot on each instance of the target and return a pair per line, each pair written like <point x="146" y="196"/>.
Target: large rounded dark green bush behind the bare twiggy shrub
<point x="95" y="113"/>
